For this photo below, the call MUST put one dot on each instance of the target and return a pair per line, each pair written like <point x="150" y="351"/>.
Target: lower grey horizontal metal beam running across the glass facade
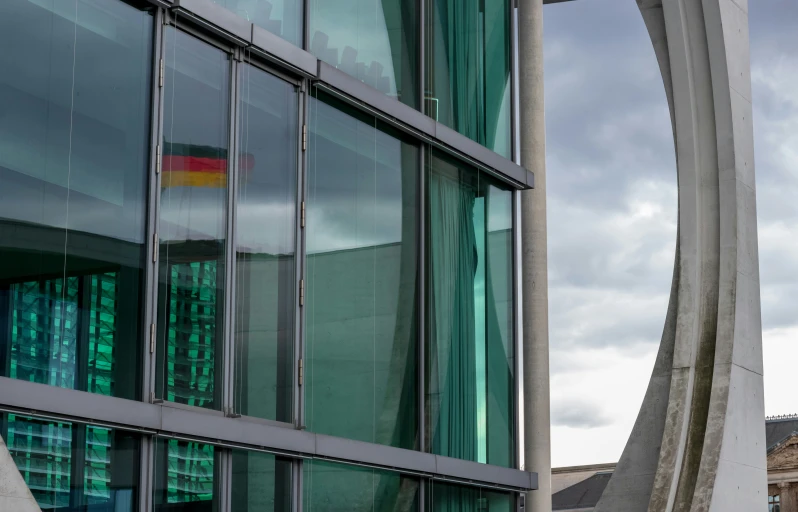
<point x="167" y="419"/>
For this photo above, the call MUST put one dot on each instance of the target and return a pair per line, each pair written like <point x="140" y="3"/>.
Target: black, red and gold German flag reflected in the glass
<point x="190" y="165"/>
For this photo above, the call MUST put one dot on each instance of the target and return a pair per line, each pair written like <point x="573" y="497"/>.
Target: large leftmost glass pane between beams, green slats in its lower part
<point x="74" y="146"/>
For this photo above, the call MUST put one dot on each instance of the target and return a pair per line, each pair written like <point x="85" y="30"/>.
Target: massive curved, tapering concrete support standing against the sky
<point x="699" y="440"/>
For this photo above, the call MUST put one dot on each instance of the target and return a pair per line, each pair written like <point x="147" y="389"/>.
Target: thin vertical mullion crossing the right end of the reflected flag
<point x="228" y="339"/>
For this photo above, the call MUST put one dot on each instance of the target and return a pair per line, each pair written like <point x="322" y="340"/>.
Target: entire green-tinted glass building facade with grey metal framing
<point x="231" y="281"/>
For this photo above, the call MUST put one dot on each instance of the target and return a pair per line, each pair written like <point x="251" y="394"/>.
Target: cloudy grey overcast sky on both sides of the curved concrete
<point x="612" y="215"/>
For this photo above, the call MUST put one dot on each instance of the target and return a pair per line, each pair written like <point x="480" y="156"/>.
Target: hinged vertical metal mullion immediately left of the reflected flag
<point x="151" y="268"/>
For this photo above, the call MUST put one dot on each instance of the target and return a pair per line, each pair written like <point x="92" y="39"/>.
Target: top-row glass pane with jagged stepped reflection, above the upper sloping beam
<point x="375" y="41"/>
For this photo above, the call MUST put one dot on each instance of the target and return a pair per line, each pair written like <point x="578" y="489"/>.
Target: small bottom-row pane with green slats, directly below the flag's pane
<point x="185" y="477"/>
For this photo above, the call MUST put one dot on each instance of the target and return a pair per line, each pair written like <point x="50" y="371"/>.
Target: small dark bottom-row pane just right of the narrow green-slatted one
<point x="261" y="482"/>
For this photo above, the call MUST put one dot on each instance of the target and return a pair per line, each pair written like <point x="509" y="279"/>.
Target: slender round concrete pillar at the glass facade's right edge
<point x="534" y="262"/>
